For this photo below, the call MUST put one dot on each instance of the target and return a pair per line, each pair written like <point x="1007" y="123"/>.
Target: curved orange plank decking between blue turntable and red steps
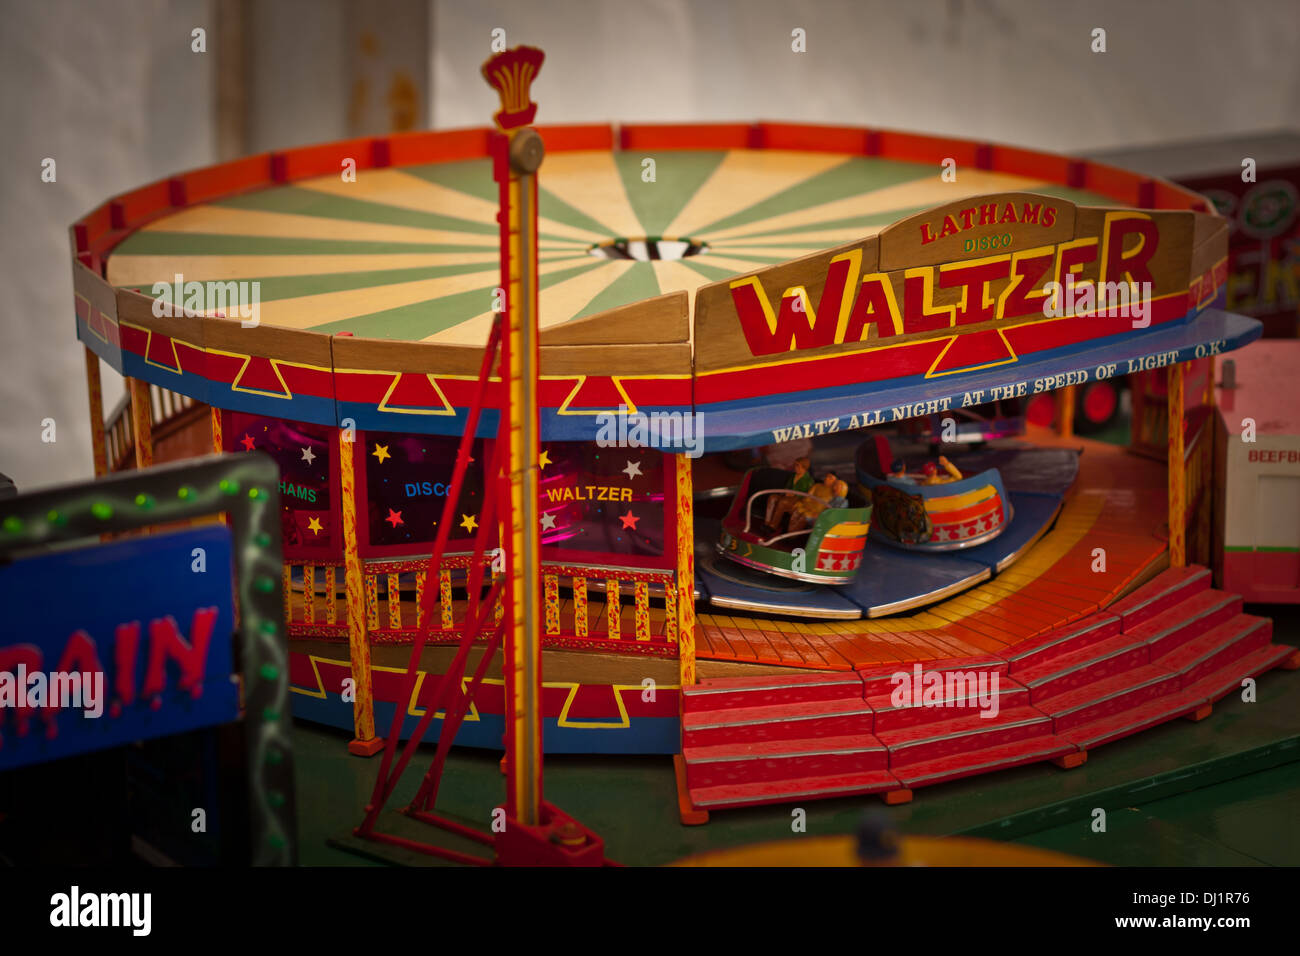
<point x="1119" y="505"/>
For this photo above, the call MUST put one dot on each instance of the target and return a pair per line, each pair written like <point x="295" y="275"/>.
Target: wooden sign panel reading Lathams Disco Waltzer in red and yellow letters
<point x="959" y="274"/>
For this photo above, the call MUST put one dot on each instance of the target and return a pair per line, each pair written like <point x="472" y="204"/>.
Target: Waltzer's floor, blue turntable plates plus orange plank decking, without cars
<point x="980" y="602"/>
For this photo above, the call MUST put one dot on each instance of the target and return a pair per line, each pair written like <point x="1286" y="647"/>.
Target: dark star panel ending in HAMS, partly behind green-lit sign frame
<point x="309" y="479"/>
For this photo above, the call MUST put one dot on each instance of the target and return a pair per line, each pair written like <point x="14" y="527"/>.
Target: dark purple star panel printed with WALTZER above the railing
<point x="603" y="501"/>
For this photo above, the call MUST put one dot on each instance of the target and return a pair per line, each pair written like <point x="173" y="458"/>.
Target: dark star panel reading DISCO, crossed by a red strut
<point x="402" y="487"/>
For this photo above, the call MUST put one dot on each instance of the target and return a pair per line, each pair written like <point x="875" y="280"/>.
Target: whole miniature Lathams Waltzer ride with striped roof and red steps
<point x="695" y="289"/>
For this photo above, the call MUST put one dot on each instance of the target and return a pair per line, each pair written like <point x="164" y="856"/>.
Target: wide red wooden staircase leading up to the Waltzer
<point x="1169" y="650"/>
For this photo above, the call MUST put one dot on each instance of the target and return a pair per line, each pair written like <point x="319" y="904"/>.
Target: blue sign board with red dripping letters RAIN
<point x="107" y="644"/>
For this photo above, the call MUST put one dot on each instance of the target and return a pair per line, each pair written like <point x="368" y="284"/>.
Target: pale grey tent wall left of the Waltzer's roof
<point x="116" y="97"/>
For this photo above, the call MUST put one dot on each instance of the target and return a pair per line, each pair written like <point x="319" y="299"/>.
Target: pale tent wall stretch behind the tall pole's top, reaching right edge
<point x="1011" y="71"/>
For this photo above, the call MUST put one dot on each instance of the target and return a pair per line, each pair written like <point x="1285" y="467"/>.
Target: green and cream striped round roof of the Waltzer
<point x="413" y="254"/>
